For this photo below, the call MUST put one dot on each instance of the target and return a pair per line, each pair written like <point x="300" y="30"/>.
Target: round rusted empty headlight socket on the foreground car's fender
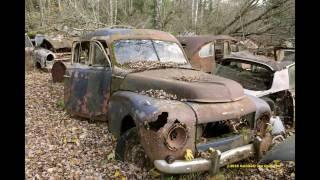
<point x="177" y="136"/>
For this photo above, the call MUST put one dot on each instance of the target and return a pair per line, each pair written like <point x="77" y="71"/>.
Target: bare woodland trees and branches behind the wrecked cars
<point x="242" y="18"/>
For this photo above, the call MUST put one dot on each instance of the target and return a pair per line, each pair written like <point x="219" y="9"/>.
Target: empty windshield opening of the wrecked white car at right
<point x="250" y="76"/>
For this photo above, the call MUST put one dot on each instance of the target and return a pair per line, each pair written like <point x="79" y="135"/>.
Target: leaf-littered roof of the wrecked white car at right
<point x="249" y="57"/>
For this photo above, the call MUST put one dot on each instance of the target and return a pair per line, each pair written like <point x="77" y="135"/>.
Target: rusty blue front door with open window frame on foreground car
<point x="87" y="88"/>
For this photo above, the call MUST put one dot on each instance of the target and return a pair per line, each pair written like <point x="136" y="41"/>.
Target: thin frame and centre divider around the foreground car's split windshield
<point x="116" y="63"/>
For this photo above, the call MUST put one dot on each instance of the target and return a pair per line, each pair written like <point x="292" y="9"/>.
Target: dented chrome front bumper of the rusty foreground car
<point x="217" y="160"/>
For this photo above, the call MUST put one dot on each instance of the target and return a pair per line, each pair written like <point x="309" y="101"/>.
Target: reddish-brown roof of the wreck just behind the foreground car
<point x="193" y="43"/>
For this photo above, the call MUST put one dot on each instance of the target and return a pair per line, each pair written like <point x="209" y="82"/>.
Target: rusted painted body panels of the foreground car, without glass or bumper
<point x="165" y="102"/>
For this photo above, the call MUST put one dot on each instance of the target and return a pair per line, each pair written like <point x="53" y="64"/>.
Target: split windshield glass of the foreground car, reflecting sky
<point x="147" y="51"/>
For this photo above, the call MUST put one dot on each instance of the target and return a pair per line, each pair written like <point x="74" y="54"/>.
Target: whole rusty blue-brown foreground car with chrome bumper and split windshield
<point x="161" y="110"/>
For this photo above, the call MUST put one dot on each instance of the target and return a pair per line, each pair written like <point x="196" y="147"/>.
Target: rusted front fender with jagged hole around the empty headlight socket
<point x="146" y="110"/>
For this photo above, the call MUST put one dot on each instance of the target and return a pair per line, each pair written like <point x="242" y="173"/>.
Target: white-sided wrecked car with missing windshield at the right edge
<point x="264" y="78"/>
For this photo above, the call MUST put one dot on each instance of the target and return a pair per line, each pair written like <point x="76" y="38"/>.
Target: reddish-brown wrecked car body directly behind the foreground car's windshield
<point x="205" y="51"/>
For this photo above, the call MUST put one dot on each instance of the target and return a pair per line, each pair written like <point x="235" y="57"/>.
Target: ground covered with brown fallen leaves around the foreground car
<point x="58" y="146"/>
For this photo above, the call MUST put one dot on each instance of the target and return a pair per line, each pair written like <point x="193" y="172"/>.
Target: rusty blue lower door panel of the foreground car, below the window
<point x="87" y="92"/>
